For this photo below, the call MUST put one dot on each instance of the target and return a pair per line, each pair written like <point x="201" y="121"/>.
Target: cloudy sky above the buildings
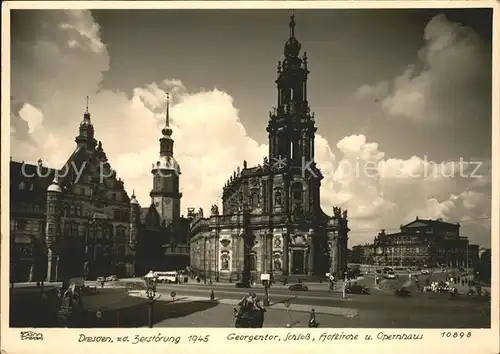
<point x="405" y="91"/>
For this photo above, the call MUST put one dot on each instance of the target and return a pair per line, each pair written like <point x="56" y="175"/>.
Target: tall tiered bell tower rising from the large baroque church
<point x="291" y="129"/>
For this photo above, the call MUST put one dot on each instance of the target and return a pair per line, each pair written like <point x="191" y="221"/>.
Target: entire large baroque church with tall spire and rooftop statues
<point x="271" y="215"/>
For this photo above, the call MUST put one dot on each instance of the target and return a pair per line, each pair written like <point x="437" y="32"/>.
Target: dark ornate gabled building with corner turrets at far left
<point x="73" y="221"/>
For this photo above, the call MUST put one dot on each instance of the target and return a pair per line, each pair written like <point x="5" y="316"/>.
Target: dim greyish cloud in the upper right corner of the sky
<point x="453" y="66"/>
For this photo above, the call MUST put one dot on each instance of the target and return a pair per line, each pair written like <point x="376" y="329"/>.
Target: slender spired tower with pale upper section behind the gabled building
<point x="166" y="171"/>
